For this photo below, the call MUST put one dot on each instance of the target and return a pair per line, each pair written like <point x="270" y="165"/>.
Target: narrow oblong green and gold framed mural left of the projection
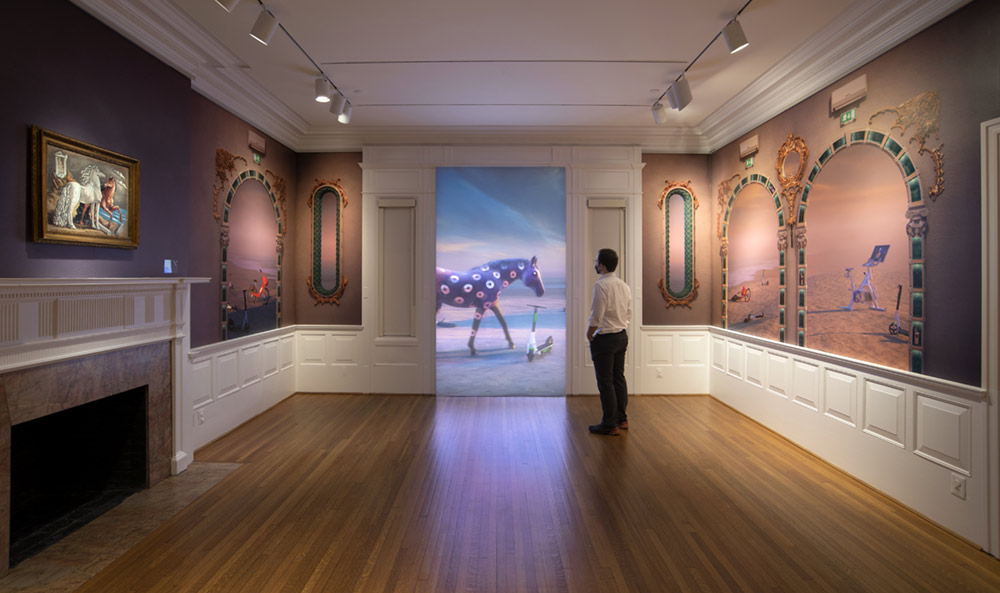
<point x="327" y="201"/>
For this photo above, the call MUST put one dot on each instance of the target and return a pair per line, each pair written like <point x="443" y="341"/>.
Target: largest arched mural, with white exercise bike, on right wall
<point x="890" y="217"/>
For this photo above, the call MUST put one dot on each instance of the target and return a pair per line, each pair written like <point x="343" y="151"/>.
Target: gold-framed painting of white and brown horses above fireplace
<point x="82" y="194"/>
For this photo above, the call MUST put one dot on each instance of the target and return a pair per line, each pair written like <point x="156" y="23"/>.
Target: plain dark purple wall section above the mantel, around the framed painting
<point x="112" y="95"/>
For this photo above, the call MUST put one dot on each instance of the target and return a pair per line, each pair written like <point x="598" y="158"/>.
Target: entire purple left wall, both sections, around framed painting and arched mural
<point x="113" y="94"/>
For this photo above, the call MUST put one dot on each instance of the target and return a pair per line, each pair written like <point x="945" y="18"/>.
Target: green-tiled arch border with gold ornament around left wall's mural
<point x="274" y="185"/>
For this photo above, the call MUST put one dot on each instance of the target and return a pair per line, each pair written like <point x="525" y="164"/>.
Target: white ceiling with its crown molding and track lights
<point x="542" y="71"/>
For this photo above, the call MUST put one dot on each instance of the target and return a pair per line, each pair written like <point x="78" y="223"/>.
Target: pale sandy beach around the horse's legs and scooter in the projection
<point x="496" y="369"/>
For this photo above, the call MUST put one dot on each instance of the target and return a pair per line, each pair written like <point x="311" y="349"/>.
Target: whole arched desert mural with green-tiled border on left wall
<point x="252" y="242"/>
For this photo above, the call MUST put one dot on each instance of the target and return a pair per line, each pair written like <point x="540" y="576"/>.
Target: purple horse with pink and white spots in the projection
<point x="480" y="288"/>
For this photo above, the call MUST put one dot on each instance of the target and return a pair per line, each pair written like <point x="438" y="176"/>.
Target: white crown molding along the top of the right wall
<point x="847" y="44"/>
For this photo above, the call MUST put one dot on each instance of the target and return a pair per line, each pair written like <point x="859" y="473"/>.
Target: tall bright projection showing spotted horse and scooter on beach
<point x="501" y="281"/>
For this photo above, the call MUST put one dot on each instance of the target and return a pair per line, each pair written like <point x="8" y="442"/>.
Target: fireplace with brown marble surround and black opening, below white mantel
<point x="126" y="393"/>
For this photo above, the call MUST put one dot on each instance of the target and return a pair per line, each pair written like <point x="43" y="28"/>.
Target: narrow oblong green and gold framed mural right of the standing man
<point x="678" y="286"/>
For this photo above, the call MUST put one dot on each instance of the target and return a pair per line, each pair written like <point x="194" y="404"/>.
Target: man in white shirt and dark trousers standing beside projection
<point x="610" y="313"/>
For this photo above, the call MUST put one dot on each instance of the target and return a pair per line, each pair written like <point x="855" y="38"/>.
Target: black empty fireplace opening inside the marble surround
<point x="72" y="466"/>
